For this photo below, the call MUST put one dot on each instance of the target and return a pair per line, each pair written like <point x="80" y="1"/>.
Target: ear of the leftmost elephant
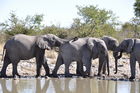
<point x="43" y="43"/>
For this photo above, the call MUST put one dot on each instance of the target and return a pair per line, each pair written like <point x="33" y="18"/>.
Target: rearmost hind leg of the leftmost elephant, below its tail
<point x="5" y="64"/>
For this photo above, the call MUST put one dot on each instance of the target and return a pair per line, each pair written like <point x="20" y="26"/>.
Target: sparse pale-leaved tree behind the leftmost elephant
<point x="29" y="25"/>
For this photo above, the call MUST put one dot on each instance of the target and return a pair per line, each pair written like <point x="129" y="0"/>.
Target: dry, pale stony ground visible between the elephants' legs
<point x="28" y="67"/>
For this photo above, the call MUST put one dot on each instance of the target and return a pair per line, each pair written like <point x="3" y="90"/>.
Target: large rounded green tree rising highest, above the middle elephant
<point x="92" y="20"/>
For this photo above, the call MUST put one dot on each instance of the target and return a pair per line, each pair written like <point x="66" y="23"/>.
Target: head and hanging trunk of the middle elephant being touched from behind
<point x="98" y="49"/>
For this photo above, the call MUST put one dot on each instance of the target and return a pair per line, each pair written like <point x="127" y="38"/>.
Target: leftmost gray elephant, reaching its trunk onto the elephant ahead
<point x="24" y="47"/>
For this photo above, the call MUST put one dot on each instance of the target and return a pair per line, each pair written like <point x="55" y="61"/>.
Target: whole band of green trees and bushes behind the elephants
<point x="92" y="21"/>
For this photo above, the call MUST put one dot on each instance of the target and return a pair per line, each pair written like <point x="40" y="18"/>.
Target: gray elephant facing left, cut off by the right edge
<point x="131" y="46"/>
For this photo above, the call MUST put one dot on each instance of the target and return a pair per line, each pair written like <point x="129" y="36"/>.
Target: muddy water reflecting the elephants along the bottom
<point x="67" y="85"/>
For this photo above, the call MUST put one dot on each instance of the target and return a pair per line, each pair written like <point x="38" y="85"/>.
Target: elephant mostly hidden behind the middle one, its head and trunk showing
<point x="112" y="44"/>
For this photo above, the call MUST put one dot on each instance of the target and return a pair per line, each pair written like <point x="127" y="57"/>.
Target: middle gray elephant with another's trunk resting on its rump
<point x="82" y="51"/>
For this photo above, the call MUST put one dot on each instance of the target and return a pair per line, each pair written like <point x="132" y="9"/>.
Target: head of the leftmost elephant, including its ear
<point x="48" y="41"/>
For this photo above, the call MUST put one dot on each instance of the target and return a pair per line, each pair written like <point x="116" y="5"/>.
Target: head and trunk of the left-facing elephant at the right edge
<point x="125" y="46"/>
